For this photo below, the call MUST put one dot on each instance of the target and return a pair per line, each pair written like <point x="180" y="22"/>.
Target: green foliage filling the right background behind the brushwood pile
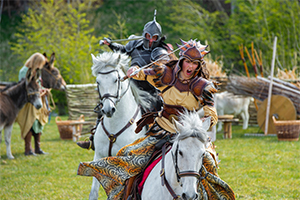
<point x="252" y="21"/>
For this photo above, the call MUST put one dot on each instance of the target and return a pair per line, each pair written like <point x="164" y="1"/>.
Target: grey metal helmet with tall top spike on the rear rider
<point x="152" y="28"/>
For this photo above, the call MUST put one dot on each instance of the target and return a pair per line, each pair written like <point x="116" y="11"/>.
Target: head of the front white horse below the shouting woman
<point x="188" y="151"/>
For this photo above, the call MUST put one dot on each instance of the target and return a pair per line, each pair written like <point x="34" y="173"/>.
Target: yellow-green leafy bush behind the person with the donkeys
<point x="61" y="28"/>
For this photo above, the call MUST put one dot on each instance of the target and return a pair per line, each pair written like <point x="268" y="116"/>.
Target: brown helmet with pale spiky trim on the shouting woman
<point x="192" y="50"/>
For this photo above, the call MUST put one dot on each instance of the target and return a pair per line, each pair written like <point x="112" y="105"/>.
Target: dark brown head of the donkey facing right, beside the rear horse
<point x="51" y="76"/>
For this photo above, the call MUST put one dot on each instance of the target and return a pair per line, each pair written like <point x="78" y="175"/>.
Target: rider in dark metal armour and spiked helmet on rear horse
<point x="142" y="52"/>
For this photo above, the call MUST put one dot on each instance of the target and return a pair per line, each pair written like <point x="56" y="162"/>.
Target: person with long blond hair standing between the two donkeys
<point x="30" y="119"/>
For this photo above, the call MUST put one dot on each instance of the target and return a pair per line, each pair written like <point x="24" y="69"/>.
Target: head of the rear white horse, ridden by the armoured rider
<point x="108" y="68"/>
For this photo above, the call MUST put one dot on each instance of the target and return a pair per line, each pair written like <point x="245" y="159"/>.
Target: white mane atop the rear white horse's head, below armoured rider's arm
<point x="110" y="58"/>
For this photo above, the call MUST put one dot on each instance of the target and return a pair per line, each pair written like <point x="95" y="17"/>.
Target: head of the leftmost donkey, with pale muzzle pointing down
<point x="33" y="89"/>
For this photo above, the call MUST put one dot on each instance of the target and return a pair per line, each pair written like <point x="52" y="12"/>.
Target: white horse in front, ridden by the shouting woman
<point x="181" y="164"/>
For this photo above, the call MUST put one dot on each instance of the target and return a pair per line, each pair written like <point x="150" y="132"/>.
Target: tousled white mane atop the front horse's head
<point x="192" y="127"/>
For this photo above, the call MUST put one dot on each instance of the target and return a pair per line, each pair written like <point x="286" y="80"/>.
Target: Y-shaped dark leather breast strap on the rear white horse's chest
<point x="113" y="137"/>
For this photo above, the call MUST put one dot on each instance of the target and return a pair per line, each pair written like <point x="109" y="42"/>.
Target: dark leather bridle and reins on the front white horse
<point x="179" y="173"/>
